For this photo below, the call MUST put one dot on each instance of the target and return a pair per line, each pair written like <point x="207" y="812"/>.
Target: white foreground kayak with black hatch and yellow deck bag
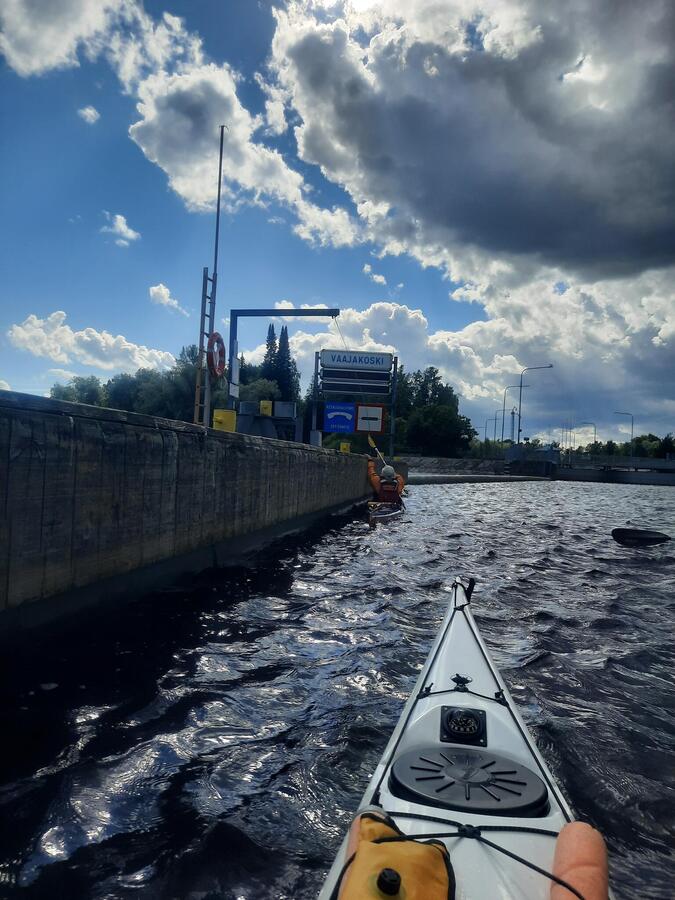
<point x="462" y="771"/>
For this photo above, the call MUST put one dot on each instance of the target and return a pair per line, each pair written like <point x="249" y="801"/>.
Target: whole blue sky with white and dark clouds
<point x="479" y="186"/>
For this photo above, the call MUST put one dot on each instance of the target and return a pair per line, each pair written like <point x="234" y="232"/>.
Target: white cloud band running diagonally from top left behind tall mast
<point x="182" y="100"/>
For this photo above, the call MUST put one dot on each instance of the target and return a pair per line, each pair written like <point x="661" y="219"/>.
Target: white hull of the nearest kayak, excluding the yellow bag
<point x="481" y="872"/>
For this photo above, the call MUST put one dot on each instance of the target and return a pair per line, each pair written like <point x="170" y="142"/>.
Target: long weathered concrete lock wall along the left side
<point x="89" y="497"/>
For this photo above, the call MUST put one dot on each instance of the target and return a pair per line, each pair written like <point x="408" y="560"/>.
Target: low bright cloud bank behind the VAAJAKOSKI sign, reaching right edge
<point x="610" y="342"/>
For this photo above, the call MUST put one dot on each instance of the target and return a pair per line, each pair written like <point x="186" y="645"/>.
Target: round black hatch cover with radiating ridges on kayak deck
<point x="469" y="781"/>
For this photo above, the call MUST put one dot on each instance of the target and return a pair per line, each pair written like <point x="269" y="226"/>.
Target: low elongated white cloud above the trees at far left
<point x="52" y="338"/>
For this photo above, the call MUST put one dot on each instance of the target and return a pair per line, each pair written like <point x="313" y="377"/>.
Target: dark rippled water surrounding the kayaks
<point x="213" y="741"/>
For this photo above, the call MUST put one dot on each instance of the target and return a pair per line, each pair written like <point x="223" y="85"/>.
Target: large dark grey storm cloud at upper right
<point x="562" y="150"/>
